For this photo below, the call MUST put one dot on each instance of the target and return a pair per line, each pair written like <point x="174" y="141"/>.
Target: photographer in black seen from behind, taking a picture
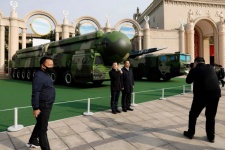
<point x="206" y="92"/>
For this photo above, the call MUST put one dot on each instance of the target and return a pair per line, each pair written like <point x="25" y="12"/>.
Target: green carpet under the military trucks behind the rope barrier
<point x="15" y="93"/>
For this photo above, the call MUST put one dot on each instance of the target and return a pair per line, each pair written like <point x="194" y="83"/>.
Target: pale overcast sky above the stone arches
<point x="117" y="9"/>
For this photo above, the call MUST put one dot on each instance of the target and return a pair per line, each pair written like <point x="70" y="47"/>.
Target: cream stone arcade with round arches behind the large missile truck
<point x="18" y="31"/>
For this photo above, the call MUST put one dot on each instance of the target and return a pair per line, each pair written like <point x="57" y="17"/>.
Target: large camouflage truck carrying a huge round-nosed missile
<point x="85" y="58"/>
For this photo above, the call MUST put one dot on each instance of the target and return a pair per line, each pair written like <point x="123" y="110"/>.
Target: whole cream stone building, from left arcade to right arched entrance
<point x="195" y="27"/>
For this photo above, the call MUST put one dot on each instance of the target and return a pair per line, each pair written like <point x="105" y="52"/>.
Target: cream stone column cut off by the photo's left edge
<point x="2" y="49"/>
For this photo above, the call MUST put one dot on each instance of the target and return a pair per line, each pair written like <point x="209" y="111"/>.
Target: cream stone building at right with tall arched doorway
<point x="195" y="27"/>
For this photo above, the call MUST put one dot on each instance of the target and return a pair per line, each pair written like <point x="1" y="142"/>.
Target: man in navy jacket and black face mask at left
<point x="43" y="97"/>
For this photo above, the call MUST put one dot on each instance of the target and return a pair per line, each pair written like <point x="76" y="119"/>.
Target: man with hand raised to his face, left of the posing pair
<point x="115" y="87"/>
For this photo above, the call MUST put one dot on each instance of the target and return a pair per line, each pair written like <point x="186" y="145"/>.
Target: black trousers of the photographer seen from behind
<point x="210" y="105"/>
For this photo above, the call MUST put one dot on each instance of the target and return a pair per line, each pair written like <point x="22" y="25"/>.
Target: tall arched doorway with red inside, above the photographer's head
<point x="204" y="37"/>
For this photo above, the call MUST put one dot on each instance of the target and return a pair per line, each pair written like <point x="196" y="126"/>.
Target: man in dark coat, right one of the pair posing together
<point x="127" y="86"/>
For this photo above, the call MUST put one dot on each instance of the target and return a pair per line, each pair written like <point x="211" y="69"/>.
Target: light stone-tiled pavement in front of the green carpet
<point x="153" y="125"/>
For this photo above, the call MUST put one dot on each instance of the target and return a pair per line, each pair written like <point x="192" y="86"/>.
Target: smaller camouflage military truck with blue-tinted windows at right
<point x="157" y="66"/>
